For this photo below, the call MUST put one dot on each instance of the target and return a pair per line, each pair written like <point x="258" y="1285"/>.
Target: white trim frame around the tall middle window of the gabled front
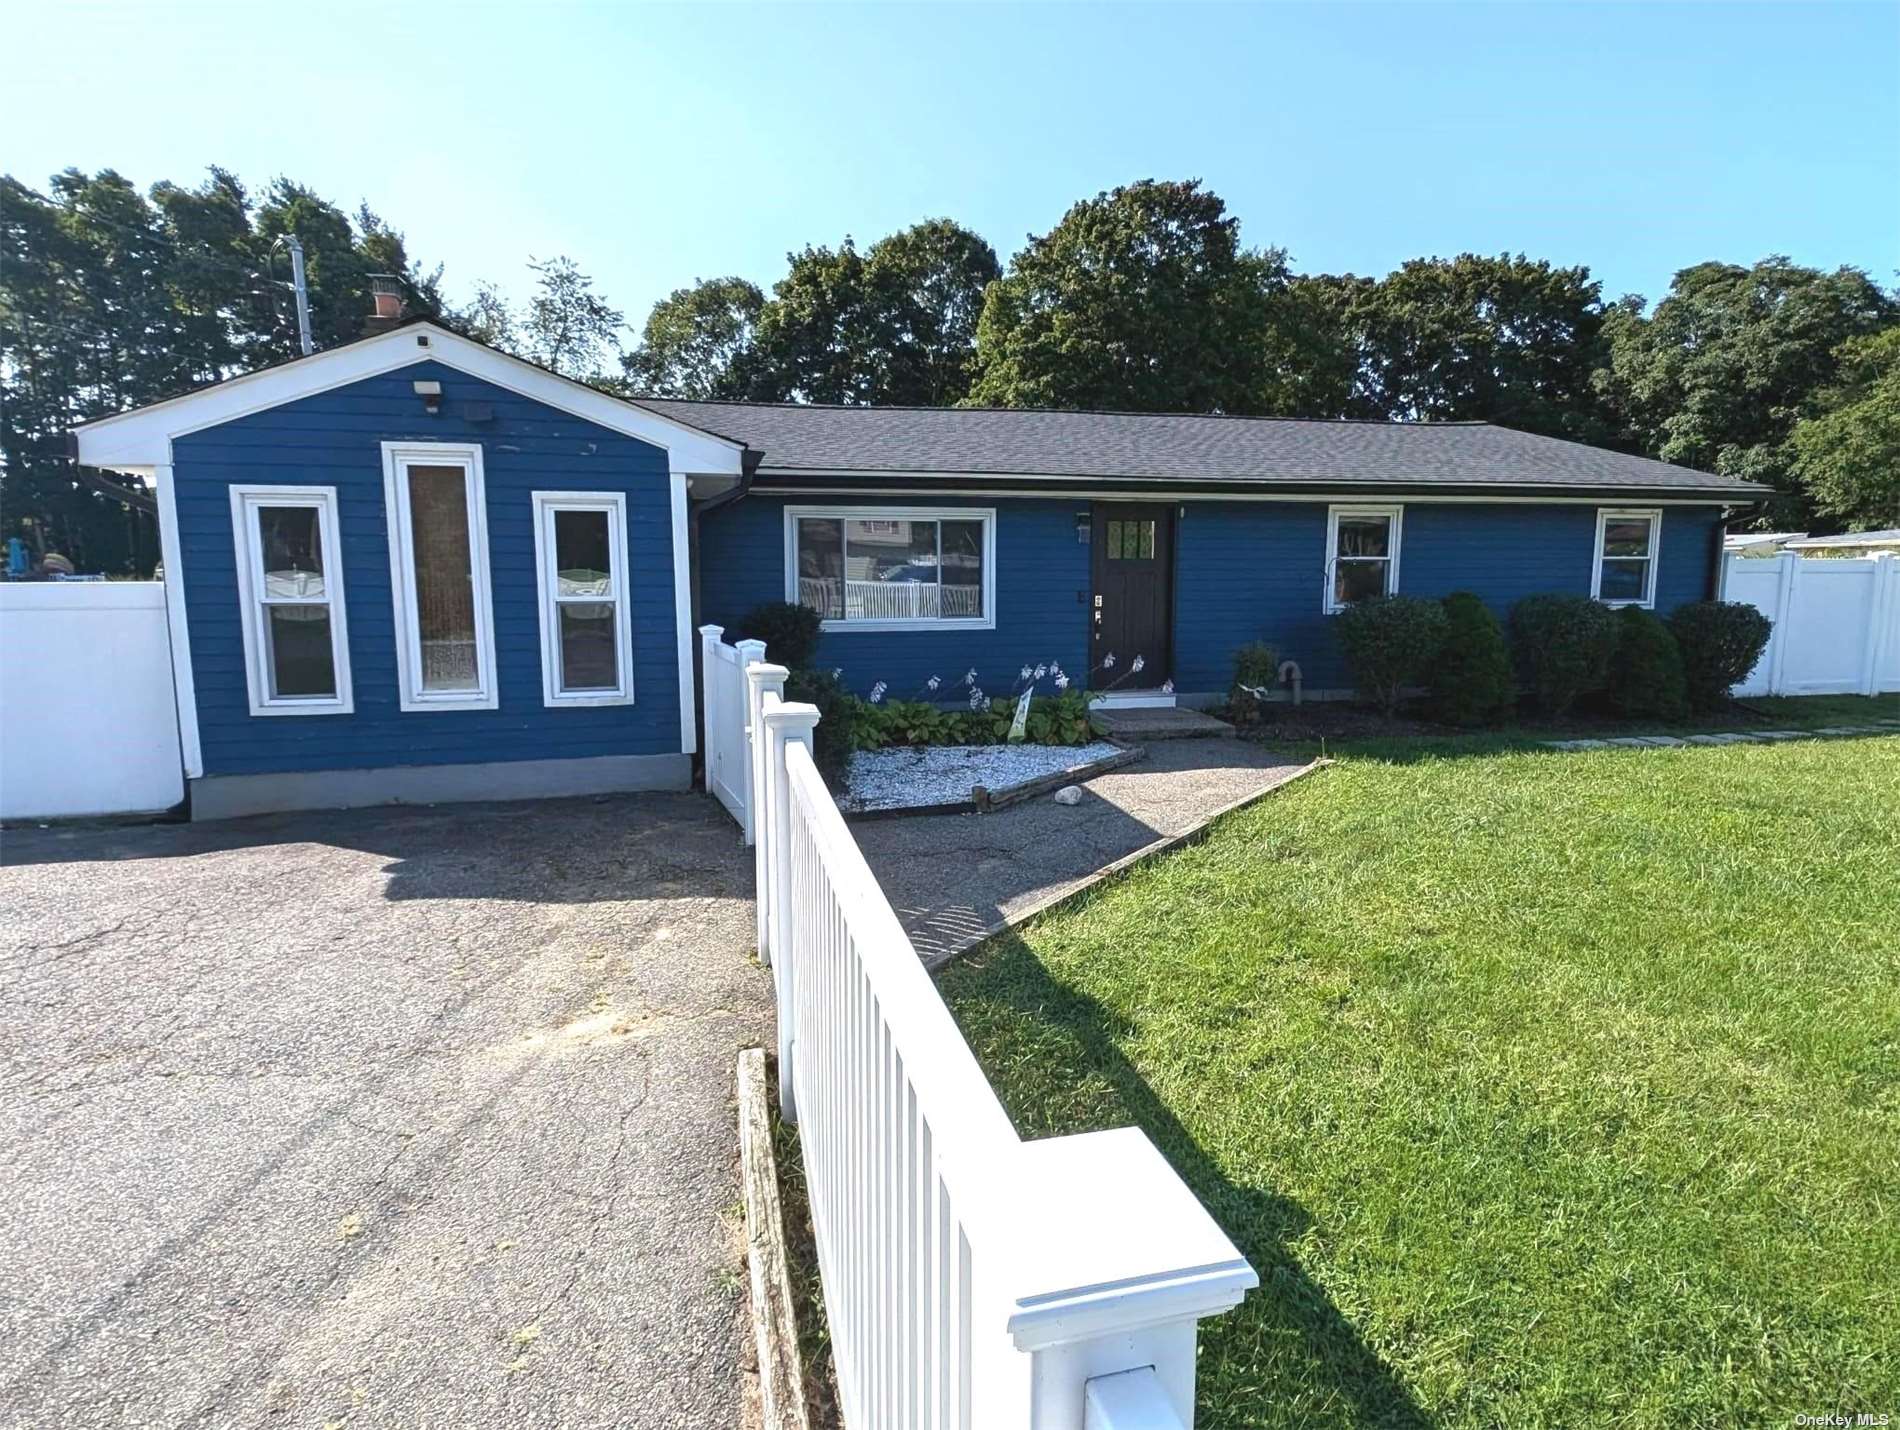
<point x="396" y="462"/>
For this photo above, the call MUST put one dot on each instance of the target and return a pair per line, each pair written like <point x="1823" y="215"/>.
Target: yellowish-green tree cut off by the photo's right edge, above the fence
<point x="1848" y="453"/>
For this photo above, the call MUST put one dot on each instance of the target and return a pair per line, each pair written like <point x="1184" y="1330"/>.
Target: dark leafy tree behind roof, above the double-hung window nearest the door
<point x="1475" y="339"/>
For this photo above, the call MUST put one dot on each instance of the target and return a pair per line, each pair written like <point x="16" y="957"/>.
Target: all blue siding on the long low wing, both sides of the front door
<point x="1245" y="571"/>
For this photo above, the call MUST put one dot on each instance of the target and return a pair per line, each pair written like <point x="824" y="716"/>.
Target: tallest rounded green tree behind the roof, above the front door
<point x="1139" y="299"/>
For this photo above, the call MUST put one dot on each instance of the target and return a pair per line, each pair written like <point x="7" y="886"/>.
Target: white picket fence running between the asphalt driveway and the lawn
<point x="972" y="1281"/>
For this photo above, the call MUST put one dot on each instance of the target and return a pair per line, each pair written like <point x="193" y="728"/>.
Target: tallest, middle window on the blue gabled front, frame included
<point x="440" y="576"/>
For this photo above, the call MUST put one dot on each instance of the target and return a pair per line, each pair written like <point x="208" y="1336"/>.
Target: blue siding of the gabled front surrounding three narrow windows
<point x="335" y="440"/>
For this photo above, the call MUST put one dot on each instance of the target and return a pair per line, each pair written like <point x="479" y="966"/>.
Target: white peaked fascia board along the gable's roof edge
<point x="142" y="440"/>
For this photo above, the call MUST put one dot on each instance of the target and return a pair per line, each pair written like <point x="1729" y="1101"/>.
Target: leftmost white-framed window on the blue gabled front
<point x="292" y="599"/>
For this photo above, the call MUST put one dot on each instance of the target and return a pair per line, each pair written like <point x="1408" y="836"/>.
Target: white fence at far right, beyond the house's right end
<point x="1836" y="622"/>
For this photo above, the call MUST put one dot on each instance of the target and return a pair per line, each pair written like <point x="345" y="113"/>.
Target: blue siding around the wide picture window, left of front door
<point x="1042" y="588"/>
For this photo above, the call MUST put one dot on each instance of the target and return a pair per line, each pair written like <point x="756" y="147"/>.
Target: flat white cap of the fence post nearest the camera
<point x="1114" y="1241"/>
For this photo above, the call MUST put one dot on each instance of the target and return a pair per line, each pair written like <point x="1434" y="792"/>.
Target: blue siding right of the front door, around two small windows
<point x="1255" y="571"/>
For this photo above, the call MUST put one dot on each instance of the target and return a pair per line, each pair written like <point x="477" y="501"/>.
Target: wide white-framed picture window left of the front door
<point x="883" y="569"/>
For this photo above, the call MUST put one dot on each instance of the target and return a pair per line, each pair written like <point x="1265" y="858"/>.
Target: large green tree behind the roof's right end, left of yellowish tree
<point x="1720" y="371"/>
